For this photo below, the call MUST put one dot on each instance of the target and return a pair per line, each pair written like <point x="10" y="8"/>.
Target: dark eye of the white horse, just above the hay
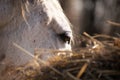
<point x="66" y="37"/>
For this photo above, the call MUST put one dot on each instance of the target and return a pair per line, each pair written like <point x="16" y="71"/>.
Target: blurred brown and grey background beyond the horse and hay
<point x="93" y="16"/>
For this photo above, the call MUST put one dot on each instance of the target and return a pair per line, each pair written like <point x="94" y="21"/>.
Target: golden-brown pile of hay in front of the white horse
<point x="95" y="58"/>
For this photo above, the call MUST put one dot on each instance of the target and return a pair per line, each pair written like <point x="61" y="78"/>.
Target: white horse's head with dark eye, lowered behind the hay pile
<point x="31" y="24"/>
